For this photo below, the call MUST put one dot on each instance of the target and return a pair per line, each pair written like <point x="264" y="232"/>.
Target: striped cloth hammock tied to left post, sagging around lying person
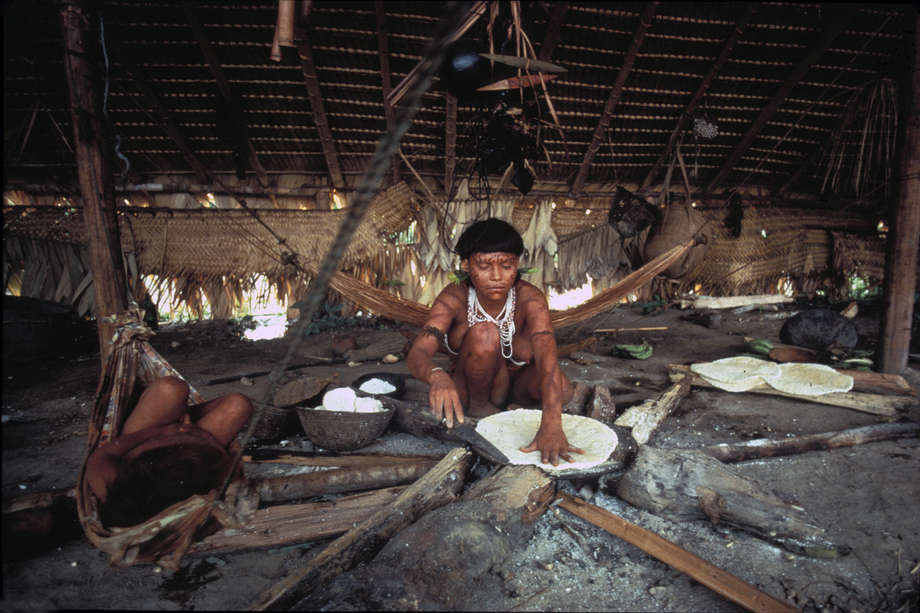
<point x="132" y="364"/>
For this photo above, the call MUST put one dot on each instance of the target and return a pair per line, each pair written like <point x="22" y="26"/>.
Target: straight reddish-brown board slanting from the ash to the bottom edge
<point x="720" y="581"/>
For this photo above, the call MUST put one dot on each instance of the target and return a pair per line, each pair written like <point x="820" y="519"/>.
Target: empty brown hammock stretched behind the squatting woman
<point x="388" y="305"/>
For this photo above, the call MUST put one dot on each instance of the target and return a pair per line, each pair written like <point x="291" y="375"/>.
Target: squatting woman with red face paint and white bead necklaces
<point x="498" y="329"/>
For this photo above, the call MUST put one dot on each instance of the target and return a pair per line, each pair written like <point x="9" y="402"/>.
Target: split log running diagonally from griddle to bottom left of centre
<point x="438" y="487"/>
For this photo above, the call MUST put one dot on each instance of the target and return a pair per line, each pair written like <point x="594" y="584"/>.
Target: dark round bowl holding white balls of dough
<point x="343" y="431"/>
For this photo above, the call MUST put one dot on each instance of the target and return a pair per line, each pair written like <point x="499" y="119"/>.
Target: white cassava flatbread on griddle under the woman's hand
<point x="511" y="430"/>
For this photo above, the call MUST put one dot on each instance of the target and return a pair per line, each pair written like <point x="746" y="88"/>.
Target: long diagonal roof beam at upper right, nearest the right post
<point x="841" y="17"/>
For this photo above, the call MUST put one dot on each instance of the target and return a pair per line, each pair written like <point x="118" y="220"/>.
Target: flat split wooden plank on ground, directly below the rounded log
<point x="282" y="525"/>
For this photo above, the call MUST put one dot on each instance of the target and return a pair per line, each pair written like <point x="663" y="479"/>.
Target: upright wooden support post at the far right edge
<point x="901" y="263"/>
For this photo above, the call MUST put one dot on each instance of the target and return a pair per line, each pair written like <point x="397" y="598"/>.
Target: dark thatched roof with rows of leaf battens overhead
<point x="782" y="75"/>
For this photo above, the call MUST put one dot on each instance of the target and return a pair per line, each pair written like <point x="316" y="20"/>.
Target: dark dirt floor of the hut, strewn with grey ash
<point x="866" y="496"/>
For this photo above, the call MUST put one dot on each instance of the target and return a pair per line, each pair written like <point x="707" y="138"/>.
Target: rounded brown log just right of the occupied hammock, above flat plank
<point x="337" y="480"/>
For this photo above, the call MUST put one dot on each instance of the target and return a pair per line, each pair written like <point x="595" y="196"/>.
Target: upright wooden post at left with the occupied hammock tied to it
<point x="94" y="169"/>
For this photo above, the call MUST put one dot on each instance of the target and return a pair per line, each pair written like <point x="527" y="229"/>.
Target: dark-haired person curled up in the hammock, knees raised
<point x="167" y="451"/>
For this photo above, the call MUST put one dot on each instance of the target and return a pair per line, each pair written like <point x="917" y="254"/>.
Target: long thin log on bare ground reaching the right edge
<point x="768" y="448"/>
